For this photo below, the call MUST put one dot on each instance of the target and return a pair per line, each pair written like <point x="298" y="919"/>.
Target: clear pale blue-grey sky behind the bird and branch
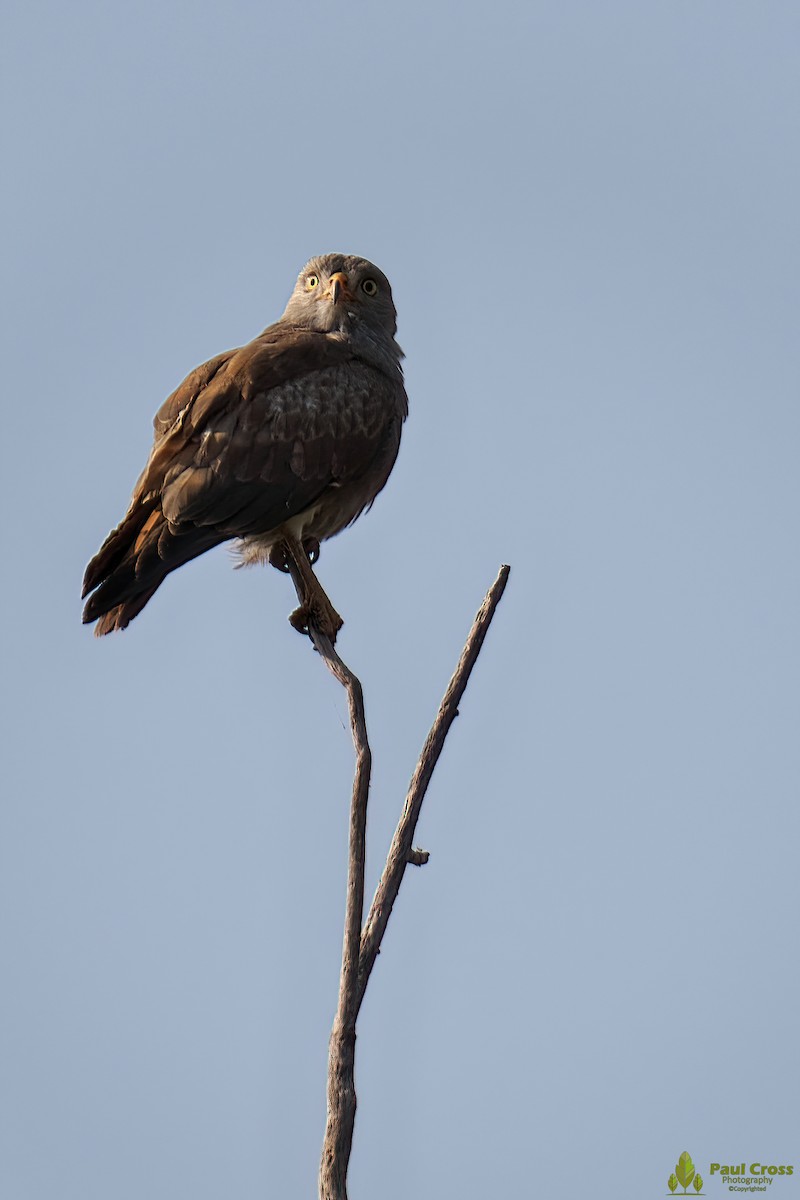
<point x="590" y="217"/>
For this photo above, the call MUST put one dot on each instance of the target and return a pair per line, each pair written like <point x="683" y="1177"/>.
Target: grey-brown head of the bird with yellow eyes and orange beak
<point x="338" y="292"/>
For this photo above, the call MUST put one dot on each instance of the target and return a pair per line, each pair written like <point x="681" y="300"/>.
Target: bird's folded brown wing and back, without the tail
<point x="257" y="435"/>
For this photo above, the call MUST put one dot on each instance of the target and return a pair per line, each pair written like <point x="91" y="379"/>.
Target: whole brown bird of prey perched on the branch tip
<point x="279" y="445"/>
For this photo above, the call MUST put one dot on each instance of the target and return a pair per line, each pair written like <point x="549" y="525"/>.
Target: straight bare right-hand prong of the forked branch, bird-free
<point x="401" y="848"/>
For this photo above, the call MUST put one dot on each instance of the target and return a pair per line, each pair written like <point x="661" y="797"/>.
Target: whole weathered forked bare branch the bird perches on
<point x="362" y="949"/>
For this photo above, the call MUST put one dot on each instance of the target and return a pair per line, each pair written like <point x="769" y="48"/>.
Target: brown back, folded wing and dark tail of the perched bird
<point x="250" y="440"/>
